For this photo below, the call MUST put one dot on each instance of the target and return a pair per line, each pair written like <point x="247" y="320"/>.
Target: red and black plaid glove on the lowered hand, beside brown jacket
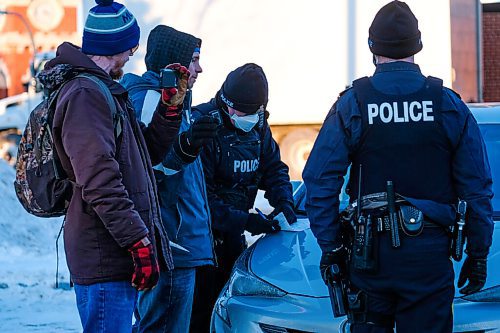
<point x="146" y="269"/>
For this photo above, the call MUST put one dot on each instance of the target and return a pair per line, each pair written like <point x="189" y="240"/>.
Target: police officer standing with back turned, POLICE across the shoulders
<point x="406" y="128"/>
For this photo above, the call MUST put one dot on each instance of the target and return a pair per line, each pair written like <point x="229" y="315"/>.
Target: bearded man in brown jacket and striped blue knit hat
<point x="113" y="212"/>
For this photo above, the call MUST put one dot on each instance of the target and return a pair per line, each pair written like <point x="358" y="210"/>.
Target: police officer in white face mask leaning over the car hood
<point x="242" y="159"/>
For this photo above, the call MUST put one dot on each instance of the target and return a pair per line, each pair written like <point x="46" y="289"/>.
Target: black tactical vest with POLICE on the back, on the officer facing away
<point x="403" y="141"/>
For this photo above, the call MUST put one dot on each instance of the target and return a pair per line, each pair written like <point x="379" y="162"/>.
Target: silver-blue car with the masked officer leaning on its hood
<point x="276" y="286"/>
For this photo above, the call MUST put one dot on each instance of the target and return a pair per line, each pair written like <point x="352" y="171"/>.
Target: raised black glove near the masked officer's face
<point x="188" y="144"/>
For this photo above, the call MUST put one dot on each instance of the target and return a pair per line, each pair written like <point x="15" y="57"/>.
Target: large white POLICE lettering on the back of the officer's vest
<point x="398" y="112"/>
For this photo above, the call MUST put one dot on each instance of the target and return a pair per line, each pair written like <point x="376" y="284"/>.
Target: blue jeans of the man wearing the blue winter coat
<point x="167" y="307"/>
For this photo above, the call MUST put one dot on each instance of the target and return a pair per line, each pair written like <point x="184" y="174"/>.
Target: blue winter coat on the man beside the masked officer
<point x="182" y="191"/>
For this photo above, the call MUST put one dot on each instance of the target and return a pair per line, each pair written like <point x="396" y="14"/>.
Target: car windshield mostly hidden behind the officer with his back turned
<point x="491" y="135"/>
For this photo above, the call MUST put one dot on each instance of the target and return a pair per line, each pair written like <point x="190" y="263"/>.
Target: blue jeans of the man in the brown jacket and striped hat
<point x="106" y="307"/>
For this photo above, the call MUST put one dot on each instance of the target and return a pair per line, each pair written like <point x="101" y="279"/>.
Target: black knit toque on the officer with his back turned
<point x="394" y="32"/>
